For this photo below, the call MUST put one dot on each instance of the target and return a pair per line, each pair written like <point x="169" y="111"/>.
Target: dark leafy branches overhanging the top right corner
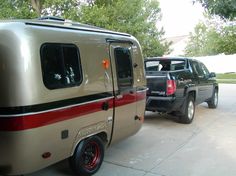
<point x="226" y="9"/>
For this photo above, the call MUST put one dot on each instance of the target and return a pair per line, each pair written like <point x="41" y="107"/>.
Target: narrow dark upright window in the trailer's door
<point x="124" y="67"/>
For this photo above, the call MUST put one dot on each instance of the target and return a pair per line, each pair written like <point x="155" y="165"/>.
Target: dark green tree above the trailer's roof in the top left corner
<point x="25" y="9"/>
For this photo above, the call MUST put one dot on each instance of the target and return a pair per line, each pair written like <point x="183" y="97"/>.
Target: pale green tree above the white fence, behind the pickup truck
<point x="212" y="40"/>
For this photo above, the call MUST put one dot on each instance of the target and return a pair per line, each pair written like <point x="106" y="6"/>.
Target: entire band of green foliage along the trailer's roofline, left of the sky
<point x="136" y="17"/>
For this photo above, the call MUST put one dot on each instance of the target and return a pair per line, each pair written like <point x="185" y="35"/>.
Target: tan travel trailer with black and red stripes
<point x="67" y="91"/>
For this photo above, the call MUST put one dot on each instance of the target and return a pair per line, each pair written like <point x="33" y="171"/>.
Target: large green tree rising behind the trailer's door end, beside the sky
<point x="136" y="17"/>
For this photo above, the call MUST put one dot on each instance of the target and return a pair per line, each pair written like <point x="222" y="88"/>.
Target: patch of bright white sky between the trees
<point x="179" y="17"/>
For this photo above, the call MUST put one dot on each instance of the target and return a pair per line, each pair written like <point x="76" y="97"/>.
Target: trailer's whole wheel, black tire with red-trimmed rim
<point x="88" y="156"/>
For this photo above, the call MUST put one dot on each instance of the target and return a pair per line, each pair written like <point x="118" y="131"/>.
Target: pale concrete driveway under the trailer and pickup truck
<point x="164" y="147"/>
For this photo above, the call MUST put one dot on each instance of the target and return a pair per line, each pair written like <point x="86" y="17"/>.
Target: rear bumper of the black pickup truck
<point x="163" y="104"/>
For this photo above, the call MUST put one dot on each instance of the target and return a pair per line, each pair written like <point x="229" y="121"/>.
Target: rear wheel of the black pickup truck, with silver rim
<point x="188" y="115"/>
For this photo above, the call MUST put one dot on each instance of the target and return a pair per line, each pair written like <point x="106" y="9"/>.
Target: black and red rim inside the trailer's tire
<point x="91" y="155"/>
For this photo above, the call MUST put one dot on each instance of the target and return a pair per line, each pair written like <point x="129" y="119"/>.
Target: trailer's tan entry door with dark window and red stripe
<point x="124" y="90"/>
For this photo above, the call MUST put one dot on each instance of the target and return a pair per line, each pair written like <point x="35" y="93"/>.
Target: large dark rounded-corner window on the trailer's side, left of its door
<point x="60" y="65"/>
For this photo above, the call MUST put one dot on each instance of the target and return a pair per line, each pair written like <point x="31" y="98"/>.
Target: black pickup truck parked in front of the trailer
<point x="176" y="85"/>
